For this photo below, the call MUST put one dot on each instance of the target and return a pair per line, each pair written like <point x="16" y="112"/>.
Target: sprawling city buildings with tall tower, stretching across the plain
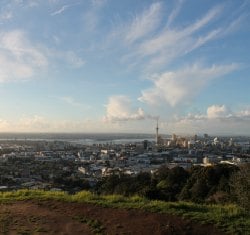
<point x="63" y="165"/>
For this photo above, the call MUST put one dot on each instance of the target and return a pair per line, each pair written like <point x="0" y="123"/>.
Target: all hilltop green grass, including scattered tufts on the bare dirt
<point x="230" y="218"/>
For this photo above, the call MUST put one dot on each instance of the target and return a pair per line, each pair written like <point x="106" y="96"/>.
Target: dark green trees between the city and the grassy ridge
<point x="221" y="183"/>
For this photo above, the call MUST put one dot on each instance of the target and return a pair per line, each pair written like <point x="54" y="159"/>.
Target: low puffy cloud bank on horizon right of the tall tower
<point x="217" y="120"/>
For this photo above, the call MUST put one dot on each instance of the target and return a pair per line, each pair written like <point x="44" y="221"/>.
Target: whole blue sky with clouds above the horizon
<point x="119" y="66"/>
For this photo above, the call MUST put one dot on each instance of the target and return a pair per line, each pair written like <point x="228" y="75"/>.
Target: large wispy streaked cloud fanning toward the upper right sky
<point x="149" y="44"/>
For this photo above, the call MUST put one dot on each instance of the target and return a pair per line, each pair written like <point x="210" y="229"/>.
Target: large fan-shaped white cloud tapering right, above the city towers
<point x="183" y="85"/>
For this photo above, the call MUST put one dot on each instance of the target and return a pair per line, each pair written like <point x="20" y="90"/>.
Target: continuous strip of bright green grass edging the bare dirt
<point x="229" y="218"/>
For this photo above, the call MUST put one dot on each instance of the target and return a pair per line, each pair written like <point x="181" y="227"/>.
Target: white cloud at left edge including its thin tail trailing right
<point x="21" y="59"/>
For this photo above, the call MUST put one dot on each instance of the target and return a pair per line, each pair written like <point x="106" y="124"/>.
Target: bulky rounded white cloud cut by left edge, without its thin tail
<point x="19" y="58"/>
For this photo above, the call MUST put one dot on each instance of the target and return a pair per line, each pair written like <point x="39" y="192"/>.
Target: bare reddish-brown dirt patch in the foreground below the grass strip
<point x="54" y="217"/>
